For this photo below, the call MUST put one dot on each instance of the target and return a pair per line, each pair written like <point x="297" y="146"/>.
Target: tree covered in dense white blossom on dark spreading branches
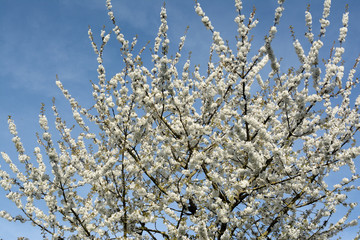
<point x="241" y="151"/>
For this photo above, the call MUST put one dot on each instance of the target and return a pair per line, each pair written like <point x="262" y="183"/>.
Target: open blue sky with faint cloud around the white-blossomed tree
<point x="42" y="38"/>
